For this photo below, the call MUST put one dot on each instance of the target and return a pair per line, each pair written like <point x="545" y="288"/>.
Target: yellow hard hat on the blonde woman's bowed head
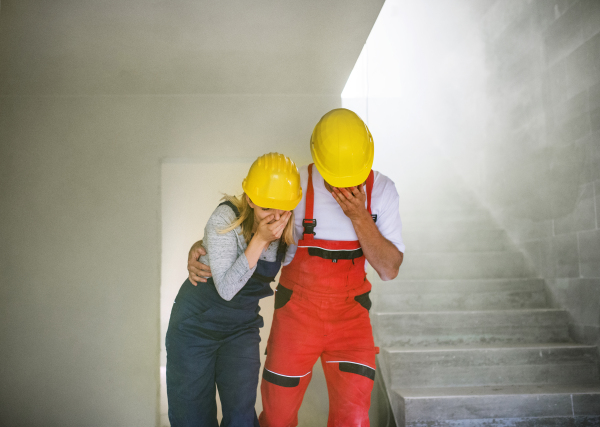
<point x="273" y="182"/>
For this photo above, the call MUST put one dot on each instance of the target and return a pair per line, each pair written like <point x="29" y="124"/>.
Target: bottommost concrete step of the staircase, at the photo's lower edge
<point x="558" y="405"/>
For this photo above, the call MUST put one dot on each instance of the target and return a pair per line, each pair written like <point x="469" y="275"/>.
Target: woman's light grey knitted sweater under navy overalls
<point x="225" y="253"/>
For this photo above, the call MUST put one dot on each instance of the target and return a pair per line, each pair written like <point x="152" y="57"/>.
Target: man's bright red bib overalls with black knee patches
<point x="321" y="309"/>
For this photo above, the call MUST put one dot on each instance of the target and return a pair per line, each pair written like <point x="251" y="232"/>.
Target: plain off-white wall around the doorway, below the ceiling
<point x="81" y="232"/>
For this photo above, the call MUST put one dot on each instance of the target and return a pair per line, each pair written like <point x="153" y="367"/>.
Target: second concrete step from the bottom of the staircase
<point x="486" y="366"/>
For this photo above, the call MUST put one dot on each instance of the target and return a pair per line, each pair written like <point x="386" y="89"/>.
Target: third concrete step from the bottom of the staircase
<point x="470" y="327"/>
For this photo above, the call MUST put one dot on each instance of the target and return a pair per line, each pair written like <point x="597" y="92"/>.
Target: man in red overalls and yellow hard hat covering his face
<point x="348" y="215"/>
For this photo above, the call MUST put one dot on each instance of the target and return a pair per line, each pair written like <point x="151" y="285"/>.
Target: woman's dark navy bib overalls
<point x="212" y="342"/>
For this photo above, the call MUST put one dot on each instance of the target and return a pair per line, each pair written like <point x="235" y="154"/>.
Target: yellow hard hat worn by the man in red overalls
<point x="342" y="148"/>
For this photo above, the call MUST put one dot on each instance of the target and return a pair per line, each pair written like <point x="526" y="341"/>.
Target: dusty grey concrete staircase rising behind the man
<point x="466" y="335"/>
